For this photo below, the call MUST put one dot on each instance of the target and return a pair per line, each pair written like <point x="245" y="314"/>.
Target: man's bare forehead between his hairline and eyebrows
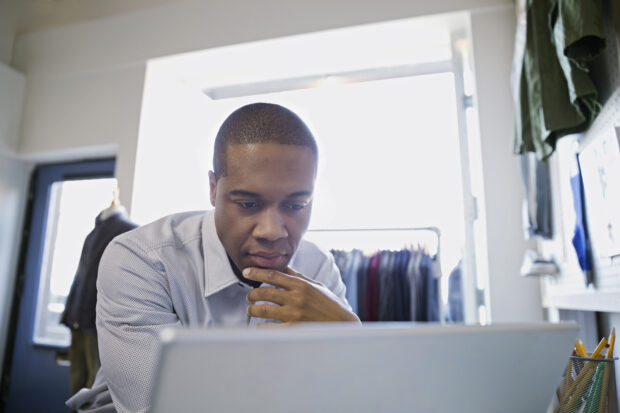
<point x="264" y="166"/>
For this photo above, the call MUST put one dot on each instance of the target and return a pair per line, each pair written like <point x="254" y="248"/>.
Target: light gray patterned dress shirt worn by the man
<point x="172" y="272"/>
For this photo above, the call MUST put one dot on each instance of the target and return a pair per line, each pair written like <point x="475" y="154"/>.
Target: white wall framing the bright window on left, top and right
<point x="85" y="85"/>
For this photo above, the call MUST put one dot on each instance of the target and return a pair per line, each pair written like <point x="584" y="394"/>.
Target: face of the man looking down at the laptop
<point x="263" y="203"/>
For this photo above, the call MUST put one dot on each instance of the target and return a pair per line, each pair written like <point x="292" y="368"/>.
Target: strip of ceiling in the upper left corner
<point x="37" y="15"/>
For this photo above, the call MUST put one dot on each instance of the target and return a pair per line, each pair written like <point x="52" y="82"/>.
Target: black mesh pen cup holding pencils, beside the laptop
<point x="588" y="386"/>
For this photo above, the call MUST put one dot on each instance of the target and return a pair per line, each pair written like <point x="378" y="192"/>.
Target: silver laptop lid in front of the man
<point x="375" y="367"/>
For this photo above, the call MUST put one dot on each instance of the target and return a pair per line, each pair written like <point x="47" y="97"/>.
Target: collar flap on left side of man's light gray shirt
<point x="218" y="272"/>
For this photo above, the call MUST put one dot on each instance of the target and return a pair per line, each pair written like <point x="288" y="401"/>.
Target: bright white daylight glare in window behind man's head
<point x="388" y="159"/>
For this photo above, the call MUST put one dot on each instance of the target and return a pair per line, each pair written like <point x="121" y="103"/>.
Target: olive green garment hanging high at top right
<point x="554" y="93"/>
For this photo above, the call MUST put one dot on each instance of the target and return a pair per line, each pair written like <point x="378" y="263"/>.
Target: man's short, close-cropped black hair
<point x="260" y="123"/>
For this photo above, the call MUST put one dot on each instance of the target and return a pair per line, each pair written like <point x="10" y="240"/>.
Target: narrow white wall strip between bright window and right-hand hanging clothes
<point x="512" y="298"/>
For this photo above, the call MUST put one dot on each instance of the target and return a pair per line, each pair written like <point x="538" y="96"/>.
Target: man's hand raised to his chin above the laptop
<point x="300" y="299"/>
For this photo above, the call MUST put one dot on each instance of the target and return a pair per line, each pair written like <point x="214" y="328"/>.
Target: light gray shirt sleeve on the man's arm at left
<point x="133" y="306"/>
